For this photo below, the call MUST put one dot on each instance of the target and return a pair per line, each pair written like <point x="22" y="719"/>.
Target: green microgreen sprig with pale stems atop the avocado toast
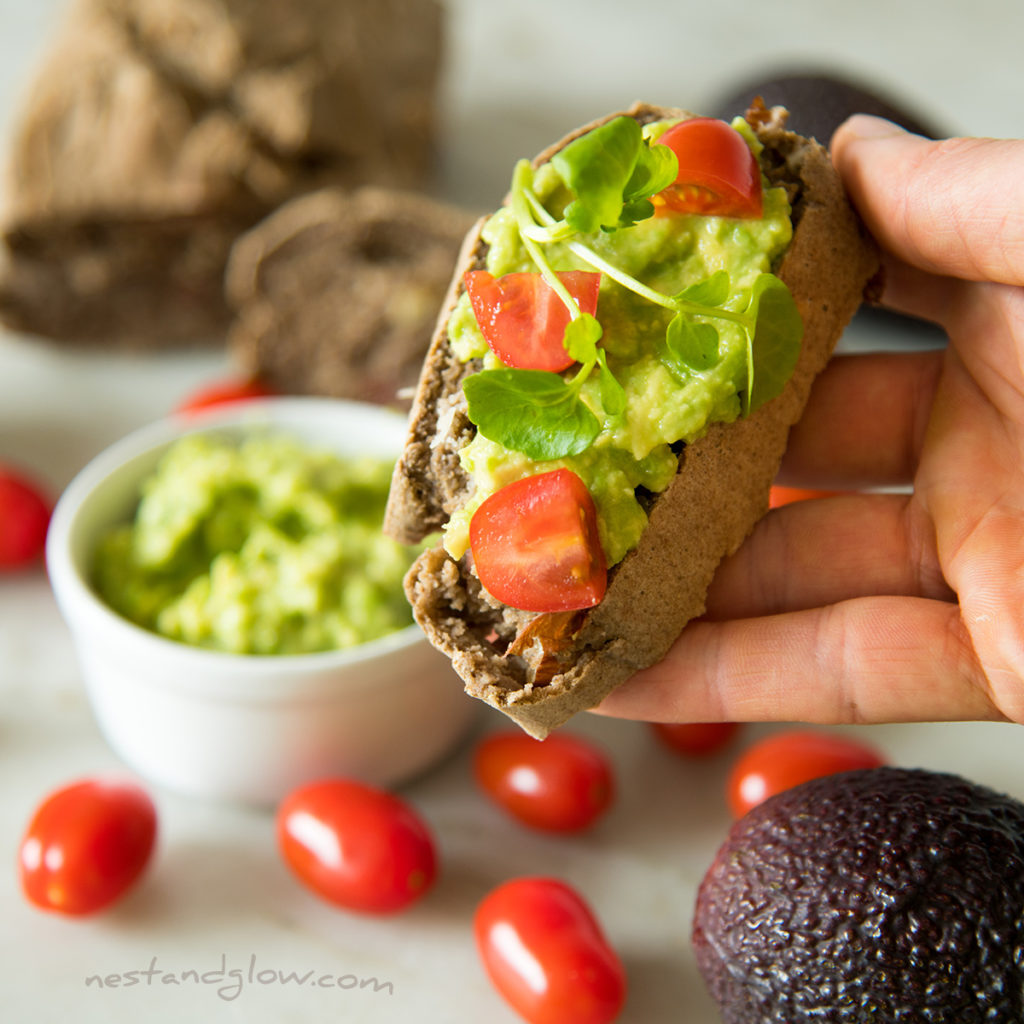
<point x="612" y="173"/>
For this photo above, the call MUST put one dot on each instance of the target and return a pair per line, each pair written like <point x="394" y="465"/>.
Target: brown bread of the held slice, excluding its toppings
<point x="713" y="503"/>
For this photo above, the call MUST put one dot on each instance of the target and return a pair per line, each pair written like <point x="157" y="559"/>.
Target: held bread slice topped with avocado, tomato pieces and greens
<point x="625" y="346"/>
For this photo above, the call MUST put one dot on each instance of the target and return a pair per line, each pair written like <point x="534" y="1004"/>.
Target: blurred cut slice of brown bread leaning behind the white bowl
<point x="337" y="292"/>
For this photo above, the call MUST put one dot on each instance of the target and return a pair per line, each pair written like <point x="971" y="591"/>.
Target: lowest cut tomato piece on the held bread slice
<point x="536" y="544"/>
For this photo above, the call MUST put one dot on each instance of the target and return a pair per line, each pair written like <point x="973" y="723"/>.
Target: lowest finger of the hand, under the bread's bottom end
<point x="866" y="660"/>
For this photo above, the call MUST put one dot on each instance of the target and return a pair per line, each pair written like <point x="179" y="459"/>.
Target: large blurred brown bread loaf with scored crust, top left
<point x="157" y="132"/>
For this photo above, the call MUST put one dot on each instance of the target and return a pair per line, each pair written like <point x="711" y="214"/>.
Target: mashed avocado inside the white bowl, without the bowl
<point x="261" y="547"/>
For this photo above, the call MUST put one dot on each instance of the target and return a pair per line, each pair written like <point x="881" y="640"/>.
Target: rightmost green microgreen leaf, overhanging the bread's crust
<point x="775" y="340"/>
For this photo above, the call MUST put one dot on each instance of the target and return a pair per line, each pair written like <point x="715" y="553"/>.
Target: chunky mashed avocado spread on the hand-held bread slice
<point x="665" y="403"/>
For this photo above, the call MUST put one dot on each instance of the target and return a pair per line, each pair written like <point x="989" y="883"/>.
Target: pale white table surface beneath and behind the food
<point x="217" y="897"/>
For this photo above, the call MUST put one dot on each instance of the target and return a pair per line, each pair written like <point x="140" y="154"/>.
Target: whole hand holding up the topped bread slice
<point x="883" y="608"/>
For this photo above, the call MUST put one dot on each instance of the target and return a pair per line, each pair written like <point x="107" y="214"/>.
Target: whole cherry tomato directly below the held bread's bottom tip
<point x="563" y="784"/>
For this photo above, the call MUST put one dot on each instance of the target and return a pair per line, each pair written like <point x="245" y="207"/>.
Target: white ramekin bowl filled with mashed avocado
<point x="253" y="525"/>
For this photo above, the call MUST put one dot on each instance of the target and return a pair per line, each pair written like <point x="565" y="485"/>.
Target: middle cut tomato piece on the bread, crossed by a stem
<point x="524" y="321"/>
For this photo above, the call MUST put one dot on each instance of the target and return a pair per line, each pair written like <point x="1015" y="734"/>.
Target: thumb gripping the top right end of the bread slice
<point x="954" y="207"/>
